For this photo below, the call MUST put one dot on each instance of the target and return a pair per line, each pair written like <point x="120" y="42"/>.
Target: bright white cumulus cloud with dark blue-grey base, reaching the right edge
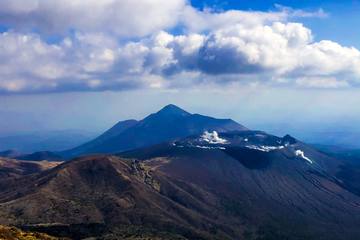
<point x="279" y="49"/>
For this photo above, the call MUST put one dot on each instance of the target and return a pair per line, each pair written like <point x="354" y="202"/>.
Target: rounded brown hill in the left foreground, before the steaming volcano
<point x="96" y="196"/>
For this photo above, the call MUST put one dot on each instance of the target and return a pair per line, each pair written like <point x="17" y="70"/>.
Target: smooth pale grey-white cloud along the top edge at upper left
<point x="123" y="18"/>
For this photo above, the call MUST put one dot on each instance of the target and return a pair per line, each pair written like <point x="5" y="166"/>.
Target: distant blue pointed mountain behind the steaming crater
<point x="169" y="123"/>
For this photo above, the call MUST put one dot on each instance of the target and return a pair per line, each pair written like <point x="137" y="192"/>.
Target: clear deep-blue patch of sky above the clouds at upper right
<point x="343" y="16"/>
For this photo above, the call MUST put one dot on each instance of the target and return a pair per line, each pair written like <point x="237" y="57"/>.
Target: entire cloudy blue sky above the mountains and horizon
<point x="280" y="66"/>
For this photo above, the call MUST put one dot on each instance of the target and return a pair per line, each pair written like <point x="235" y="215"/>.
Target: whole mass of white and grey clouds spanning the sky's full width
<point x="116" y="47"/>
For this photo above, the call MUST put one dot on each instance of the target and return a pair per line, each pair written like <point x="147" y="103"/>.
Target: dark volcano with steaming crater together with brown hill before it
<point x="230" y="185"/>
